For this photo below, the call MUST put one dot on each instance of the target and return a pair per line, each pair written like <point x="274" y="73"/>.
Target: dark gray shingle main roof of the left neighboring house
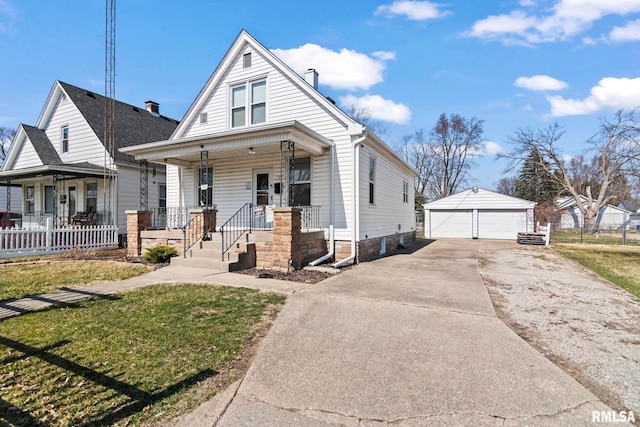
<point x="133" y="125"/>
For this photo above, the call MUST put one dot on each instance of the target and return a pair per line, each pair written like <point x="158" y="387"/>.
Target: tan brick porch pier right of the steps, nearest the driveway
<point x="287" y="239"/>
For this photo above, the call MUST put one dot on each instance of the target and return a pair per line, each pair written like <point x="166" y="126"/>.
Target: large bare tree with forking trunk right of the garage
<point x="614" y="152"/>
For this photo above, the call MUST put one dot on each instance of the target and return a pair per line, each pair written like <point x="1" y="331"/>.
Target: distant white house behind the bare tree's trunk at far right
<point x="609" y="216"/>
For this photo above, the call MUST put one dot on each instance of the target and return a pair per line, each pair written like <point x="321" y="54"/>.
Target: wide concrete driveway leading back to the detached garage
<point x="411" y="340"/>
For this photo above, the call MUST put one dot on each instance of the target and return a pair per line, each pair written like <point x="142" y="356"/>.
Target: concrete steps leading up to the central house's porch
<point x="208" y="253"/>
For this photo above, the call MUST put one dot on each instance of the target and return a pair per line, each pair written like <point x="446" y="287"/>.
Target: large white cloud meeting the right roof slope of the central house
<point x="344" y="69"/>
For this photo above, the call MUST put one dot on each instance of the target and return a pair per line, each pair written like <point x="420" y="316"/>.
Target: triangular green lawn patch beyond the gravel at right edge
<point x="619" y="264"/>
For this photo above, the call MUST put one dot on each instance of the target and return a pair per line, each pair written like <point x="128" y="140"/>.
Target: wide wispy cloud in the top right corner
<point x="564" y="20"/>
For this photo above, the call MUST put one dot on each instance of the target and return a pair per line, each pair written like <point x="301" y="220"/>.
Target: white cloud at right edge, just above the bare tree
<point x="610" y="93"/>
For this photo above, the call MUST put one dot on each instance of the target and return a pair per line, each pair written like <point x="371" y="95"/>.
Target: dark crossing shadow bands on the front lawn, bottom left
<point x="138" y="398"/>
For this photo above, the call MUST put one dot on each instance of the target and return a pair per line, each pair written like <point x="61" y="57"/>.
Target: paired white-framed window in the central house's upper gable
<point x="249" y="103"/>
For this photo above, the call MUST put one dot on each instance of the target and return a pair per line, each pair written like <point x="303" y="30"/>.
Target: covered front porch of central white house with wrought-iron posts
<point x="270" y="166"/>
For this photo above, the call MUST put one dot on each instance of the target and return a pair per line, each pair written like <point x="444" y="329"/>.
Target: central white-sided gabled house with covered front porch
<point x="261" y="136"/>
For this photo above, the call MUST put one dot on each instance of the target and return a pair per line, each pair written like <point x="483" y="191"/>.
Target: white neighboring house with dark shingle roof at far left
<point x="63" y="167"/>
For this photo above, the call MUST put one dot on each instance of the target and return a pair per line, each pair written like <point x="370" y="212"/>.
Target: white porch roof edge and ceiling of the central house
<point x="235" y="143"/>
